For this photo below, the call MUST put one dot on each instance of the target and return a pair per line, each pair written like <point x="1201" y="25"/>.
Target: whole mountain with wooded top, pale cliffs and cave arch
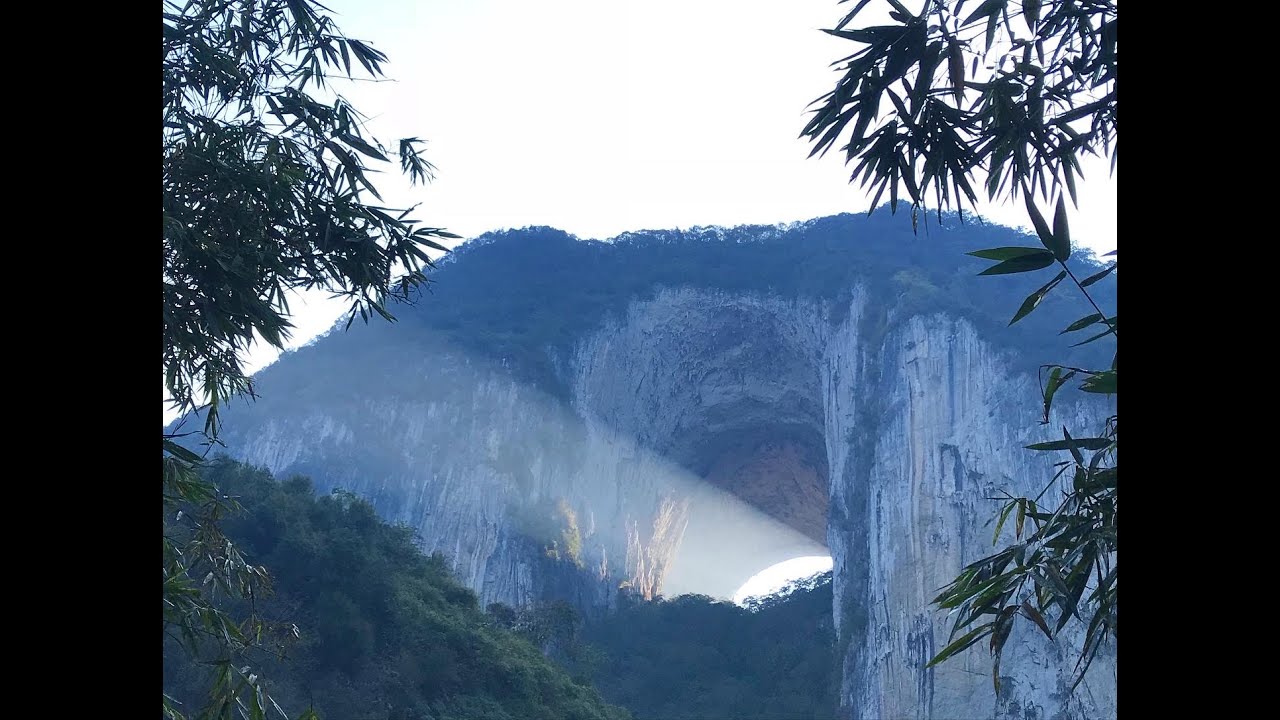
<point x="673" y="412"/>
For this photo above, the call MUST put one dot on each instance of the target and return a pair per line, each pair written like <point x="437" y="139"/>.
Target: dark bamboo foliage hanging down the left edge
<point x="264" y="192"/>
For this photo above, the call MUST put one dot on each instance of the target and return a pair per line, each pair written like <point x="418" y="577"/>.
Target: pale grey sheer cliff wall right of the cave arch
<point x="950" y="435"/>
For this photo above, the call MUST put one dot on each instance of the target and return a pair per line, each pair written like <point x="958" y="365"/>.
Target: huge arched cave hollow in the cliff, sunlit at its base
<point x="730" y="390"/>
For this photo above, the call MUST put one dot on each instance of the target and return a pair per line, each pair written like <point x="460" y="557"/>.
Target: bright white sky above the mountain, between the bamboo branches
<point x="600" y="117"/>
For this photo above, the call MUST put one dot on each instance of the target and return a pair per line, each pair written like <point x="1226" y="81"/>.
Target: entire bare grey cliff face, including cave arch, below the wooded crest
<point x="701" y="438"/>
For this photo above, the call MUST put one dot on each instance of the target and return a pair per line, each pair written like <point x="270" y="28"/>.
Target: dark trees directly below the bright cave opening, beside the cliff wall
<point x="696" y="658"/>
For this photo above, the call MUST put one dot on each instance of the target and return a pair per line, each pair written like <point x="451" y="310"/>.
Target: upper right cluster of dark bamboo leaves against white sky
<point x="1045" y="95"/>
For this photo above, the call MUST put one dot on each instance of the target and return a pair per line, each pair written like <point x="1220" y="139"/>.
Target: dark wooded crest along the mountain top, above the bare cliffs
<point x="523" y="298"/>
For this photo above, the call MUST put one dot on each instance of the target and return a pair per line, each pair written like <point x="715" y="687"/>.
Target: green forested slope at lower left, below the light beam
<point x="386" y="632"/>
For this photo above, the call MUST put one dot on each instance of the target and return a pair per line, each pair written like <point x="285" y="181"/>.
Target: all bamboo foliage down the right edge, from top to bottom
<point x="1046" y="97"/>
